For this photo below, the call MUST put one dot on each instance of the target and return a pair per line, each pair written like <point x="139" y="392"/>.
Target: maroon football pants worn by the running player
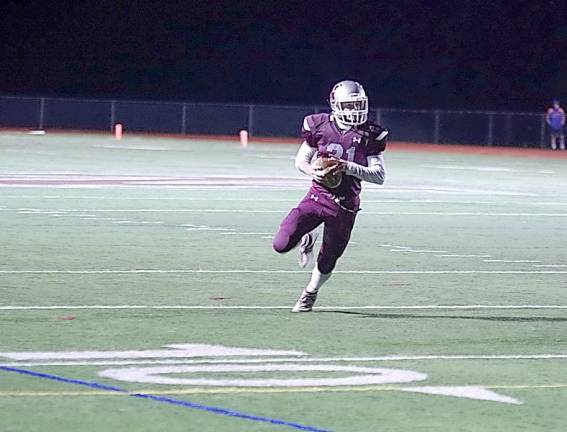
<point x="311" y="212"/>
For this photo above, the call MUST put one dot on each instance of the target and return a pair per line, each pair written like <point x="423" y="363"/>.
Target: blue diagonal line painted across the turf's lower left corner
<point x="166" y="400"/>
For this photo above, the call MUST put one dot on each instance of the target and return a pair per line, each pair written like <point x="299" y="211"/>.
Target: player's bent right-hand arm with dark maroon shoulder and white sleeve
<point x="375" y="171"/>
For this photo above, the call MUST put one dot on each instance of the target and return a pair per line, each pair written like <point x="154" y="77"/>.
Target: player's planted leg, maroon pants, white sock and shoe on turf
<point x="335" y="240"/>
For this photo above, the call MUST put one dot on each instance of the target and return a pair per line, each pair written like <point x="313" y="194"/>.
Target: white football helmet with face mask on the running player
<point x="349" y="103"/>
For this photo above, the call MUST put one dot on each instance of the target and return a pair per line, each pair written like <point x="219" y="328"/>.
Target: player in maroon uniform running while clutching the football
<point x="356" y="145"/>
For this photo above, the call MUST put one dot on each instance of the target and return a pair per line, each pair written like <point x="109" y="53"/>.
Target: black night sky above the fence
<point x="415" y="54"/>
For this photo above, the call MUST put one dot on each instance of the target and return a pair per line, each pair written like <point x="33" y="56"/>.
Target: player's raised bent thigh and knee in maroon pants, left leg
<point x="300" y="221"/>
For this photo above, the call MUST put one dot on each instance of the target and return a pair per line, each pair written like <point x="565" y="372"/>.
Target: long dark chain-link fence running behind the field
<point x="443" y="127"/>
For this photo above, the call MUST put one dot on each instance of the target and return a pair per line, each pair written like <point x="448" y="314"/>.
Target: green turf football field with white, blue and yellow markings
<point x="139" y="292"/>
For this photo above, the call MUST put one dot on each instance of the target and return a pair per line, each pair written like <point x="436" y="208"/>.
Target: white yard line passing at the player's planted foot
<point x="235" y="307"/>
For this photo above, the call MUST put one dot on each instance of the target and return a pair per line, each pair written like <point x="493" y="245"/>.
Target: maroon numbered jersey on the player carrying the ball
<point x="354" y="145"/>
